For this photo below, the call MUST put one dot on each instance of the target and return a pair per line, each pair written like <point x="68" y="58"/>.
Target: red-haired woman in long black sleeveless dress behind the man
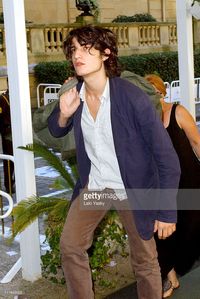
<point x="178" y="253"/>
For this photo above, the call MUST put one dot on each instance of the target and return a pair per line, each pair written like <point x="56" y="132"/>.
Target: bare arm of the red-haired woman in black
<point x="187" y="123"/>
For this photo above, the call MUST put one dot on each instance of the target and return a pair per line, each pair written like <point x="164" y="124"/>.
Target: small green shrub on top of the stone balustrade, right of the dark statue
<point x="136" y="18"/>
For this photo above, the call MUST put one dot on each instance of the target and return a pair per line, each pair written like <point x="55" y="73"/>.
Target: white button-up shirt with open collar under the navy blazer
<point x="99" y="145"/>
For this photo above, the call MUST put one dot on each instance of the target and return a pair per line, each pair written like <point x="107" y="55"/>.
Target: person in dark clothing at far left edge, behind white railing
<point x="6" y="136"/>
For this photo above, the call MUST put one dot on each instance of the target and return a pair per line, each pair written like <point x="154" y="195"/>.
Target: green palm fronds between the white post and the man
<point x="27" y="210"/>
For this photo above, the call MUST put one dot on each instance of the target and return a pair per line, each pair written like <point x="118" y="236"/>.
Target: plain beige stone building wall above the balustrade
<point x="65" y="11"/>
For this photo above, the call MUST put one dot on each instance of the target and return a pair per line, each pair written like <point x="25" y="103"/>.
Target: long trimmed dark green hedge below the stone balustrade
<point x="164" y="64"/>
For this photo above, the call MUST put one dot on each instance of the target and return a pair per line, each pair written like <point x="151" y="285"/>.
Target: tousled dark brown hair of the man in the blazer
<point x="99" y="38"/>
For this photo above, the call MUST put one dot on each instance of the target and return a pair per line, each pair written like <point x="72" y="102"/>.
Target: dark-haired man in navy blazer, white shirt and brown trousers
<point x="121" y="147"/>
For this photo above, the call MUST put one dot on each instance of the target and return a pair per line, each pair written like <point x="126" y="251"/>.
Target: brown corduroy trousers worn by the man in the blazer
<point x="77" y="237"/>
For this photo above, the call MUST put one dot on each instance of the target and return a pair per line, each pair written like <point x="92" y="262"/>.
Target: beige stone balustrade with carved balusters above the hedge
<point x="44" y="42"/>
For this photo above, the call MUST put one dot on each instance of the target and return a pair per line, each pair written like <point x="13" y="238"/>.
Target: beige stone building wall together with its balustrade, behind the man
<point x="47" y="18"/>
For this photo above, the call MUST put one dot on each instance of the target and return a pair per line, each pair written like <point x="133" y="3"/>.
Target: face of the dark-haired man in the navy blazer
<point x="86" y="60"/>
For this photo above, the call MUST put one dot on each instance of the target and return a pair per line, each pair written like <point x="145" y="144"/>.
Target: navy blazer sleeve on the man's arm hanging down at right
<point x="160" y="145"/>
